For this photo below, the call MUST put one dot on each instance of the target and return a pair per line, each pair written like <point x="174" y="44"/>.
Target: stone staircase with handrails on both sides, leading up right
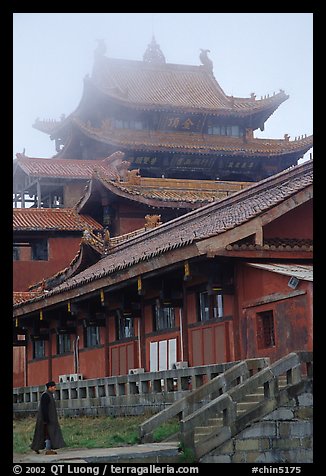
<point x="220" y="409"/>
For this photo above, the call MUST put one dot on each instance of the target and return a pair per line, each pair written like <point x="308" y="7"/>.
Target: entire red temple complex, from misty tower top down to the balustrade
<point x="190" y="239"/>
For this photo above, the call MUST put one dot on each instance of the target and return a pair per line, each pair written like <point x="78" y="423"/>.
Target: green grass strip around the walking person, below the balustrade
<point x="91" y="432"/>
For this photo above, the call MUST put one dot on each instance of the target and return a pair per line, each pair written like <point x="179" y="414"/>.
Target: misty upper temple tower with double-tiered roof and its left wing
<point x="169" y="121"/>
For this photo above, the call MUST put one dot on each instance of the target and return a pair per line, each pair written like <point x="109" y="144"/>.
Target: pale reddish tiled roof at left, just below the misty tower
<point x="60" y="168"/>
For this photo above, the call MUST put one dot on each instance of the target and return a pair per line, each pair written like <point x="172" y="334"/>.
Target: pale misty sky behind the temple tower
<point x="251" y="52"/>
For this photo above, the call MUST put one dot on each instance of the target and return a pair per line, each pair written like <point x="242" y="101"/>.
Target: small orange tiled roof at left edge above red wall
<point x="44" y="219"/>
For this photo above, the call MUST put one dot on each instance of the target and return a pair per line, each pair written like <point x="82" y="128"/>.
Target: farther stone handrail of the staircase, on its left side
<point x="217" y="386"/>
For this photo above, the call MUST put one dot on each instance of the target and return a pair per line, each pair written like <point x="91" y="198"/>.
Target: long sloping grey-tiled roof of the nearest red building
<point x="207" y="221"/>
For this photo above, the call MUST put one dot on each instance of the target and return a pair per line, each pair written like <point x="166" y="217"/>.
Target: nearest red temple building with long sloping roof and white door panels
<point x="227" y="281"/>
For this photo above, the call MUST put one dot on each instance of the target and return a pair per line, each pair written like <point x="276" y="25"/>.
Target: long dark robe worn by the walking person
<point x="47" y="413"/>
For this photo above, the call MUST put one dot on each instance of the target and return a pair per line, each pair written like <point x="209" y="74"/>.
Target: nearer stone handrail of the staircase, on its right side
<point x="226" y="404"/>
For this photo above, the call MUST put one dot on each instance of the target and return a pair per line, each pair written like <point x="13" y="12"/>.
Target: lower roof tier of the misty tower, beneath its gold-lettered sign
<point x="145" y="140"/>
